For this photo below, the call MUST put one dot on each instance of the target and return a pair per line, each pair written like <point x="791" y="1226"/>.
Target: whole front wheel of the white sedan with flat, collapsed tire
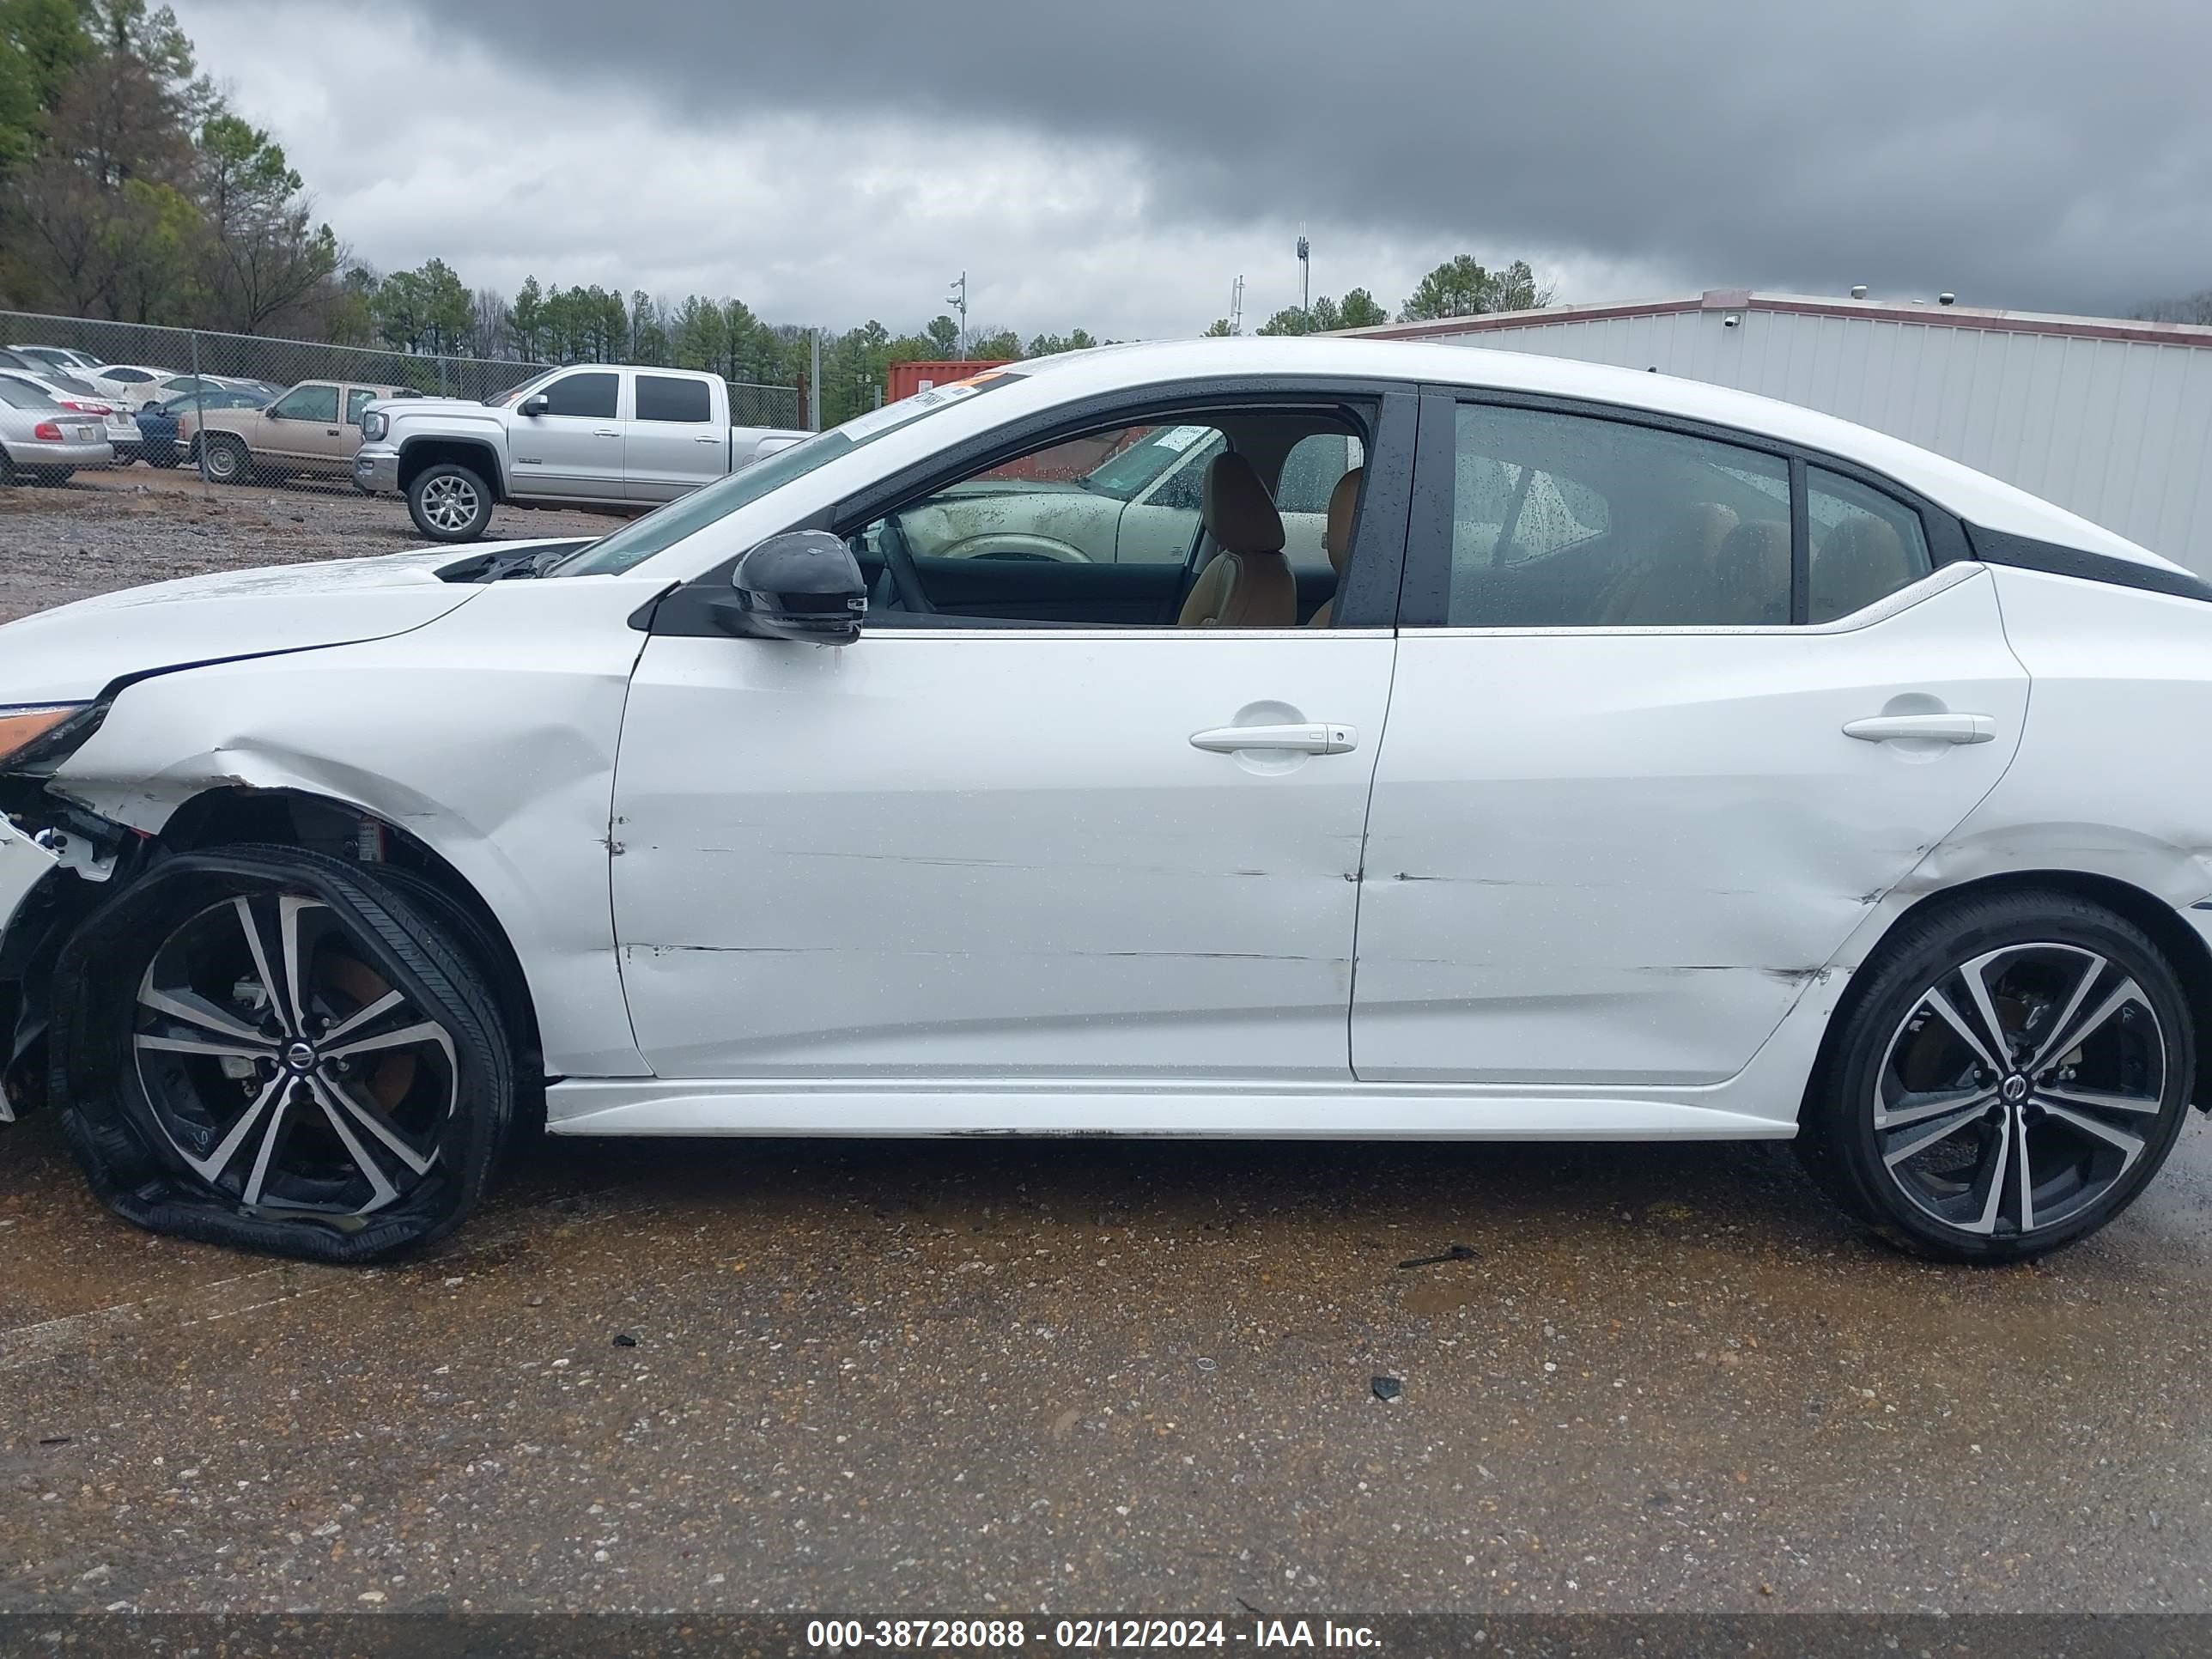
<point x="264" y="1140"/>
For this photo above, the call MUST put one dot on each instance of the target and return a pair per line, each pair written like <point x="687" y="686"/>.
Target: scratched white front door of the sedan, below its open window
<point x="1023" y="855"/>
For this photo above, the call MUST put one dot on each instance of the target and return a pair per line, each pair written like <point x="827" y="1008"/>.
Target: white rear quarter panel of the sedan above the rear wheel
<point x="2111" y="775"/>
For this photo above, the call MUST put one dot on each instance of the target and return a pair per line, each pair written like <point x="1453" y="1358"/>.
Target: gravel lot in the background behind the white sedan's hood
<point x="114" y="530"/>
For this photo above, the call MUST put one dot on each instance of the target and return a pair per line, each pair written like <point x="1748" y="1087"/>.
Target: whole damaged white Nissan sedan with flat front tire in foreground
<point x="1636" y="762"/>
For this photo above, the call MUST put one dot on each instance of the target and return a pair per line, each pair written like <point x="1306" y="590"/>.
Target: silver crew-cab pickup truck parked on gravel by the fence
<point x="592" y="435"/>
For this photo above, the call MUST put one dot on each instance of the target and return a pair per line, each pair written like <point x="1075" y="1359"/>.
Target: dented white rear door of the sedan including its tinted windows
<point x="1629" y="808"/>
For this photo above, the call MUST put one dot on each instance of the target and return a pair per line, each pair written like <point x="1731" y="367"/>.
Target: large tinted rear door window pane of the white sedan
<point x="1583" y="523"/>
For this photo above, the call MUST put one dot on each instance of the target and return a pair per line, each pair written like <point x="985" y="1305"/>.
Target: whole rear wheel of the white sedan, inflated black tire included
<point x="1941" y="1171"/>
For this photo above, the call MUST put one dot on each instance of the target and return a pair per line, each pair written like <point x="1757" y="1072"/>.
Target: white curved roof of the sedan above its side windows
<point x="1974" y="497"/>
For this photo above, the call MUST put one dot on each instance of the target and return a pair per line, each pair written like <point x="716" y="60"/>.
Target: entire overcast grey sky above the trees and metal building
<point x="1118" y="165"/>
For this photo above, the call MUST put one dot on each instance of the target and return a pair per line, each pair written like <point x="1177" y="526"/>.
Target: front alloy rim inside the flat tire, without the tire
<point x="284" y="1070"/>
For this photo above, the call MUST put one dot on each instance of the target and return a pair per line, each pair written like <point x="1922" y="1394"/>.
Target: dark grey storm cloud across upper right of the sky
<point x="2018" y="154"/>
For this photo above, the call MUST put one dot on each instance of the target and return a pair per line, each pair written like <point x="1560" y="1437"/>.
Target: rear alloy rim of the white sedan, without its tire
<point x="2021" y="1087"/>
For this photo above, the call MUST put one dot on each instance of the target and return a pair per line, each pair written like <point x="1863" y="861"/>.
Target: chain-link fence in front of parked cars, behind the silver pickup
<point x="165" y="384"/>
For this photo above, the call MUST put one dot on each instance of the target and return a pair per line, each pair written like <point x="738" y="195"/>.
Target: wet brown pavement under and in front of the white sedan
<point x="1107" y="1377"/>
